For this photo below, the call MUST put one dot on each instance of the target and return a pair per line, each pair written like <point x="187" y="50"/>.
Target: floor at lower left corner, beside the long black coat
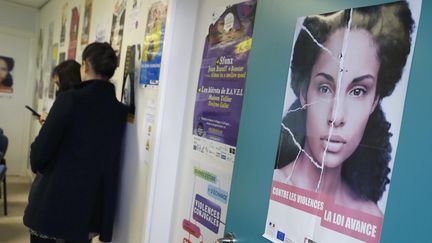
<point x="12" y="229"/>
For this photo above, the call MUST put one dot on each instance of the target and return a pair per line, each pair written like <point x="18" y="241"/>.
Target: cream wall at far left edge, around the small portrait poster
<point x="18" y="34"/>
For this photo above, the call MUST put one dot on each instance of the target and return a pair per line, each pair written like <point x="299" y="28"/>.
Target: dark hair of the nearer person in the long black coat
<point x="102" y="58"/>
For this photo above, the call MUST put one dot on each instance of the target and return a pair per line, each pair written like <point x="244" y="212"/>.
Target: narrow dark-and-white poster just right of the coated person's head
<point x="130" y="77"/>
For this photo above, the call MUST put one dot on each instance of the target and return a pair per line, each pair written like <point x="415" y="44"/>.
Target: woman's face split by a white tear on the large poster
<point x="340" y="97"/>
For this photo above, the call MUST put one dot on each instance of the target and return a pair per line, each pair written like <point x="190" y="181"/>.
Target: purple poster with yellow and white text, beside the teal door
<point x="222" y="80"/>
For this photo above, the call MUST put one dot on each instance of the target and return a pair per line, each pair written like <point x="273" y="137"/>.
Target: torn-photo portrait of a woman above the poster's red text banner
<point x="342" y="71"/>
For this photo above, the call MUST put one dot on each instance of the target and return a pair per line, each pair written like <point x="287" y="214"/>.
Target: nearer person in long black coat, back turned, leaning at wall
<point x="76" y="157"/>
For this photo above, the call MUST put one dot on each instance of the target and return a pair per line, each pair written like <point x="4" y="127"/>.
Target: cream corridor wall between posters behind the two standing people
<point x="137" y="166"/>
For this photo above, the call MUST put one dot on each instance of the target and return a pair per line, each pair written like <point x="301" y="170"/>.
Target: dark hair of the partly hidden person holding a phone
<point x="68" y="73"/>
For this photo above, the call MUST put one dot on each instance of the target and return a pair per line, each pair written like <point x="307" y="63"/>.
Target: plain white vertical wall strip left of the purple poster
<point x="180" y="43"/>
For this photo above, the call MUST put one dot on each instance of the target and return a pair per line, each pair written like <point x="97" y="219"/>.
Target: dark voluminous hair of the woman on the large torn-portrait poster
<point x="390" y="26"/>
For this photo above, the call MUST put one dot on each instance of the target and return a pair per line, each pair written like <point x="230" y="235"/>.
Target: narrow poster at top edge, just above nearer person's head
<point x="117" y="26"/>
